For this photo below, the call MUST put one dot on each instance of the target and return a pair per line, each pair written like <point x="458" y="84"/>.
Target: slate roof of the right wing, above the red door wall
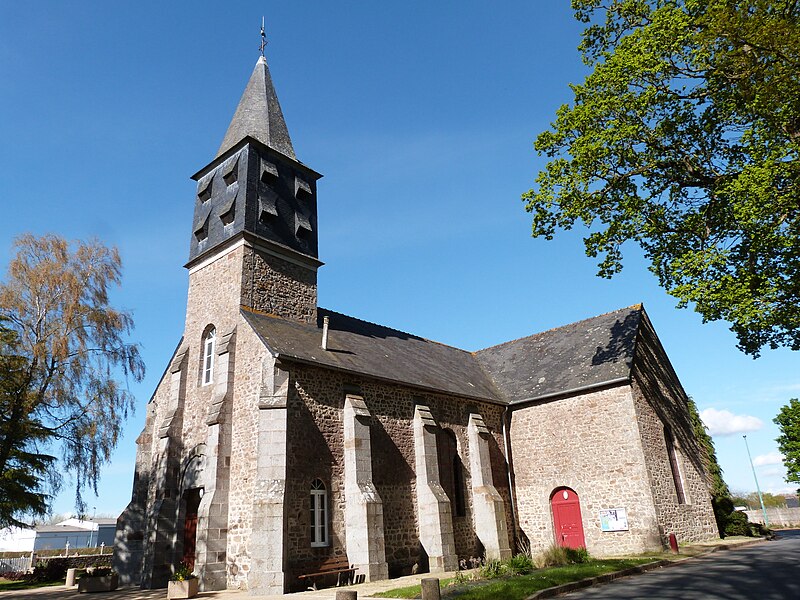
<point x="588" y="353"/>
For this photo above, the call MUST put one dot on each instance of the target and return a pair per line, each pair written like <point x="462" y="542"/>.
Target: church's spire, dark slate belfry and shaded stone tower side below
<point x="256" y="194"/>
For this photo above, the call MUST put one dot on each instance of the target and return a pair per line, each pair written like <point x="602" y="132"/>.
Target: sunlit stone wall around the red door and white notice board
<point x="591" y="444"/>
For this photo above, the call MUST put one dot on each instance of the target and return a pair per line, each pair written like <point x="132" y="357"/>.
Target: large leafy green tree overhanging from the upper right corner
<point x="684" y="140"/>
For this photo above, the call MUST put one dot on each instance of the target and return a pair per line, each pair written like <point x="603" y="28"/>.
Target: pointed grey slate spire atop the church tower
<point x="259" y="115"/>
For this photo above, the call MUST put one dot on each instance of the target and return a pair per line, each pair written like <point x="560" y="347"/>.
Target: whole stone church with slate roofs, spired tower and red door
<point x="283" y="434"/>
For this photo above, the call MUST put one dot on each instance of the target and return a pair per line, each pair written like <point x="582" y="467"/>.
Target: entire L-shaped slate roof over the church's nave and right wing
<point x="588" y="353"/>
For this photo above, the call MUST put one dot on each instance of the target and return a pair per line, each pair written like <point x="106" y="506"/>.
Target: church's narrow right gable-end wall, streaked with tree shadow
<point x="660" y="401"/>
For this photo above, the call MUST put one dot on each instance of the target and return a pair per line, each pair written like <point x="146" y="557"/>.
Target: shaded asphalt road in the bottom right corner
<point x="761" y="572"/>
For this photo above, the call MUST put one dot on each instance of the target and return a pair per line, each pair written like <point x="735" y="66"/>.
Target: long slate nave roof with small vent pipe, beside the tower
<point x="360" y="347"/>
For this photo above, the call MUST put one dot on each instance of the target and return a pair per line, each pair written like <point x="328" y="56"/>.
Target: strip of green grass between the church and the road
<point x="522" y="586"/>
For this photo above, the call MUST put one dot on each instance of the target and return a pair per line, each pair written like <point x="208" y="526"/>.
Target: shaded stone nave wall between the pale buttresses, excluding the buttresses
<point x="315" y="450"/>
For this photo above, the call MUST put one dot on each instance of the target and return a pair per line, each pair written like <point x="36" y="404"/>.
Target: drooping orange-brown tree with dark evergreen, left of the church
<point x="63" y="364"/>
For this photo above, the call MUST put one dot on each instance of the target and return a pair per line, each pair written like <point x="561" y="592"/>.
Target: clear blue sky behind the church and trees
<point x="421" y="116"/>
